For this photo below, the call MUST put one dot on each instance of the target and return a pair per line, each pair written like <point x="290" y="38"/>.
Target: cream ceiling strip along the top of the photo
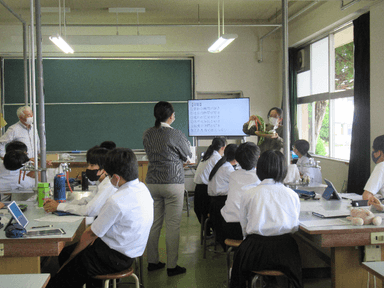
<point x="172" y="12"/>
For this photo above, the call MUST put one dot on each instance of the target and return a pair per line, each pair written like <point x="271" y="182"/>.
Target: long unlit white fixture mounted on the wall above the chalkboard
<point x="117" y="40"/>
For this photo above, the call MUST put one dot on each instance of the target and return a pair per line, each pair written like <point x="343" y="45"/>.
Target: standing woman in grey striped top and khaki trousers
<point x="166" y="149"/>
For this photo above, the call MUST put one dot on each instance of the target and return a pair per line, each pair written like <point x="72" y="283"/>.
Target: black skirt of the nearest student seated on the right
<point x="257" y="253"/>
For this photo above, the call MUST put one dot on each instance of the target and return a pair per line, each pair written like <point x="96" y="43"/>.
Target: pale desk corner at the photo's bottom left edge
<point x="25" y="281"/>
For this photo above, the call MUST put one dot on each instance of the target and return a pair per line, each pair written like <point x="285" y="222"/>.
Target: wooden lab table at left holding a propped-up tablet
<point x="22" y="255"/>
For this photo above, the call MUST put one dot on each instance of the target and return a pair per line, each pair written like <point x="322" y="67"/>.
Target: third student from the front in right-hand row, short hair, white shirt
<point x="239" y="181"/>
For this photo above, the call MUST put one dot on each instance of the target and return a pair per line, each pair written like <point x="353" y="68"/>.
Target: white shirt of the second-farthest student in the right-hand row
<point x="219" y="184"/>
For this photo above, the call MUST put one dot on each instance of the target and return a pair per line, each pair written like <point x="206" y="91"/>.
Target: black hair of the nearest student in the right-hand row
<point x="272" y="164"/>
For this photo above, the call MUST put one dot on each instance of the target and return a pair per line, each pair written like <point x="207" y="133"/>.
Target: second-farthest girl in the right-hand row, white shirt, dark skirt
<point x="218" y="187"/>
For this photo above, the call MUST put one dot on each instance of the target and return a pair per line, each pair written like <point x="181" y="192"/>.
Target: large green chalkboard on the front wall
<point x="78" y="123"/>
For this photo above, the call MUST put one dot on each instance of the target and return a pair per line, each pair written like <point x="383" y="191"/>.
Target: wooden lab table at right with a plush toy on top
<point x="342" y="240"/>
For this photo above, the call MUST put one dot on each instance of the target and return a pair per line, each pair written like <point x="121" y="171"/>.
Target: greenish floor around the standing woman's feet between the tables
<point x="201" y="273"/>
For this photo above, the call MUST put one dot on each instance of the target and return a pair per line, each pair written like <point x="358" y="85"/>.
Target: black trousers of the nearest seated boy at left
<point x="96" y="259"/>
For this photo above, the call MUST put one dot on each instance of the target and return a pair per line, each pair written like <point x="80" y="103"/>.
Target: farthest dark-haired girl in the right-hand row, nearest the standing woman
<point x="213" y="154"/>
